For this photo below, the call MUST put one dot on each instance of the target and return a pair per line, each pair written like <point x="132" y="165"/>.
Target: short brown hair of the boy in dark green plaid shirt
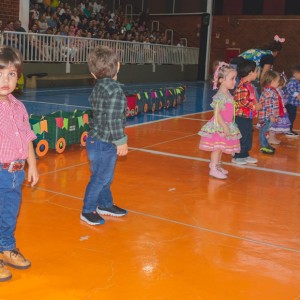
<point x="103" y="62"/>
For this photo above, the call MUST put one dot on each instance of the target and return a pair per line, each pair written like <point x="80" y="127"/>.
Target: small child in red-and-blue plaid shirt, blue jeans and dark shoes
<point x="270" y="111"/>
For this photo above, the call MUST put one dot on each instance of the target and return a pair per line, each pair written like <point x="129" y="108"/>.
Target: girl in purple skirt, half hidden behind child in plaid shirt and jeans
<point x="283" y="124"/>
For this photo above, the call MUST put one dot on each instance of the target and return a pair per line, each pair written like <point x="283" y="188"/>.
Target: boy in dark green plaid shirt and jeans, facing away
<point x="106" y="138"/>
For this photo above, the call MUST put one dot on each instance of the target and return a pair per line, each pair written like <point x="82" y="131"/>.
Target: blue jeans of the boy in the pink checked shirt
<point x="10" y="199"/>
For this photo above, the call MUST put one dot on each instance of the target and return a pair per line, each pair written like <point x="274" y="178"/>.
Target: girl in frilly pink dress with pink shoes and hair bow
<point x="221" y="134"/>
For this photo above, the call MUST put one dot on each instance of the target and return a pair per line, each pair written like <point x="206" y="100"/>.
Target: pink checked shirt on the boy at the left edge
<point x="15" y="130"/>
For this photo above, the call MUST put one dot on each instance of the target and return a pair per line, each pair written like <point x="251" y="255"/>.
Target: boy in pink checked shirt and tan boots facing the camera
<point x="15" y="147"/>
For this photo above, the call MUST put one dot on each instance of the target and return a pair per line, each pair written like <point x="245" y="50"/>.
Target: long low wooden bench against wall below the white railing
<point x="31" y="82"/>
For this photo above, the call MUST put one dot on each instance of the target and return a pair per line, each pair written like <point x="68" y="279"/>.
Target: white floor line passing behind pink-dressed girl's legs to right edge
<point x="207" y="160"/>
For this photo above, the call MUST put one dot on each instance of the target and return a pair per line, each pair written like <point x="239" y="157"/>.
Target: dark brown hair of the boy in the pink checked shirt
<point x="11" y="56"/>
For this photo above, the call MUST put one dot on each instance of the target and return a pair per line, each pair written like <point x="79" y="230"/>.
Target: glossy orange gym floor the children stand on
<point x="186" y="235"/>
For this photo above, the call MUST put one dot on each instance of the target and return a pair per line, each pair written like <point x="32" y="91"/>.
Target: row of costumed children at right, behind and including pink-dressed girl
<point x="231" y="128"/>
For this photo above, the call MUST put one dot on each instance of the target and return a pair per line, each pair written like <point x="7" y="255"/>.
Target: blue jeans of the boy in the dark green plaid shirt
<point x="103" y="157"/>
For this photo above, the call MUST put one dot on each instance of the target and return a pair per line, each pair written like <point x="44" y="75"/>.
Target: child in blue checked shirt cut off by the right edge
<point x="293" y="98"/>
